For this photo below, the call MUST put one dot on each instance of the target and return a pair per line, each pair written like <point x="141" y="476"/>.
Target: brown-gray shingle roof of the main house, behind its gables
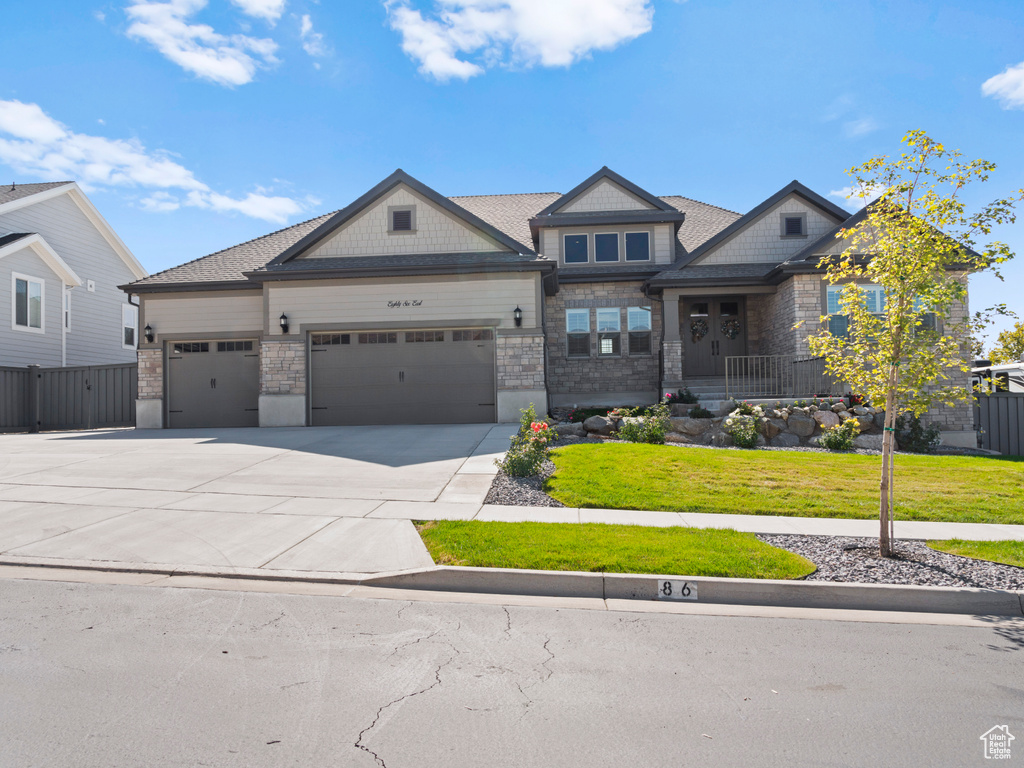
<point x="508" y="214"/>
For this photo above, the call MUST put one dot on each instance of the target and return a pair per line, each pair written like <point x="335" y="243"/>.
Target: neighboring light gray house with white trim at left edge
<point x="61" y="265"/>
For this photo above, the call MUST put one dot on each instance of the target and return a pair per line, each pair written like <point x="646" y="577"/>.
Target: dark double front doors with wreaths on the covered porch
<point x="712" y="330"/>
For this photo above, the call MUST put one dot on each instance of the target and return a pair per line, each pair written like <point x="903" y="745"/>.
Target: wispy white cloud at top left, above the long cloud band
<point x="197" y="48"/>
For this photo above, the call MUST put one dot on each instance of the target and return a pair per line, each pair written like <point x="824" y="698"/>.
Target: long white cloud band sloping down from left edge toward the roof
<point x="34" y="144"/>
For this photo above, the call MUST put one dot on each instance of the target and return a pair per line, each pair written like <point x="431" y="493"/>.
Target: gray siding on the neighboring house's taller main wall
<point x="96" y="335"/>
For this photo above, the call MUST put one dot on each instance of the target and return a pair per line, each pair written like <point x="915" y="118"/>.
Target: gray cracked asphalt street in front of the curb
<point x="113" y="675"/>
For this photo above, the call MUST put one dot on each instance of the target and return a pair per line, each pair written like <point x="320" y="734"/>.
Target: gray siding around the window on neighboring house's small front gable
<point x="26" y="348"/>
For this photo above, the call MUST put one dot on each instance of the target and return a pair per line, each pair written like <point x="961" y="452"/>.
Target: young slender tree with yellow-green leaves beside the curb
<point x="919" y="243"/>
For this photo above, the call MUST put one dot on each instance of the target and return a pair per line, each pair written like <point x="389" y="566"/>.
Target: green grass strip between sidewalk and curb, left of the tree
<point x="613" y="549"/>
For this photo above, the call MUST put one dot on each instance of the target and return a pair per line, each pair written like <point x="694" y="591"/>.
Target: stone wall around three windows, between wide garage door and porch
<point x="592" y="375"/>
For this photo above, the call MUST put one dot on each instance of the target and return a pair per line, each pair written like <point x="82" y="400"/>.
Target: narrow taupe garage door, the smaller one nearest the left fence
<point x="214" y="385"/>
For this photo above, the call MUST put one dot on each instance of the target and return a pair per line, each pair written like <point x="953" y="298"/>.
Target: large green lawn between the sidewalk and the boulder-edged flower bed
<point x="953" y="489"/>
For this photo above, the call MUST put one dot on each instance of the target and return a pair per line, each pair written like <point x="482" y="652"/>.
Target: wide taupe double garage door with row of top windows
<point x="403" y="377"/>
